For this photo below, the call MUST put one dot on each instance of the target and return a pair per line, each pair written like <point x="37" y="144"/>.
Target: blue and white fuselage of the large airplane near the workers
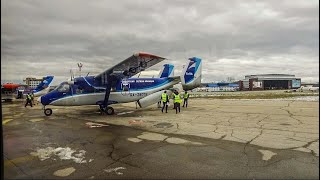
<point x="85" y="91"/>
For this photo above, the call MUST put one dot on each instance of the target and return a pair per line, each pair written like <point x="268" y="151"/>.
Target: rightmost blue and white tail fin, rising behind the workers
<point x="191" y="74"/>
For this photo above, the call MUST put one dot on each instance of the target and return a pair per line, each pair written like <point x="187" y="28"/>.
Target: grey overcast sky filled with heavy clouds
<point x="234" y="38"/>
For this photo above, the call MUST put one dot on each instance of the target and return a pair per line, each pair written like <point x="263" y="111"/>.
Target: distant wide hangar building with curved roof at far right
<point x="269" y="81"/>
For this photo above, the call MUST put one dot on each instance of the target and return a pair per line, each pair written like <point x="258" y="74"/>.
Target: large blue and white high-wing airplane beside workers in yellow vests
<point x="116" y="85"/>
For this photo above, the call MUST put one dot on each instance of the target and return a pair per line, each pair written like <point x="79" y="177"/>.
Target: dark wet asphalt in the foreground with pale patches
<point x="61" y="146"/>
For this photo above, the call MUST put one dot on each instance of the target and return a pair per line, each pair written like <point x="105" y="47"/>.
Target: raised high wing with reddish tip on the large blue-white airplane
<point x="129" y="67"/>
